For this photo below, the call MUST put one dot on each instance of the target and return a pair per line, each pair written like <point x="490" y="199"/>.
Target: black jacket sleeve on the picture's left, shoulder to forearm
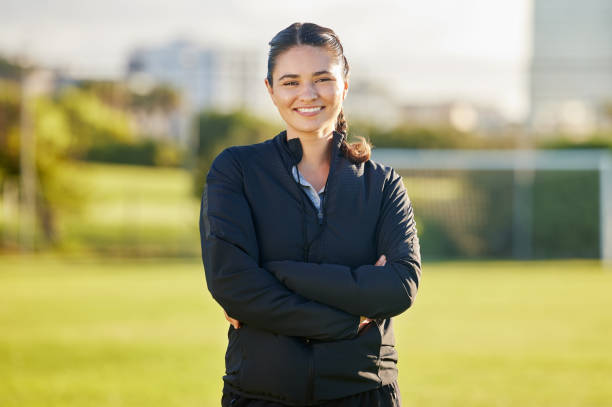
<point x="230" y="255"/>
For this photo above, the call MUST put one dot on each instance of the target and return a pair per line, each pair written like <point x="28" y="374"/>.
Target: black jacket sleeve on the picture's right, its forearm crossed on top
<point x="368" y="290"/>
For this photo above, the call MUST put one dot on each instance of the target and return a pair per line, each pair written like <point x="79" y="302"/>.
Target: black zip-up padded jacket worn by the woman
<point x="299" y="285"/>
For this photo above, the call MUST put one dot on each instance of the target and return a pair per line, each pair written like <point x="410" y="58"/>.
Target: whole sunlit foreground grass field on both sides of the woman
<point x="86" y="332"/>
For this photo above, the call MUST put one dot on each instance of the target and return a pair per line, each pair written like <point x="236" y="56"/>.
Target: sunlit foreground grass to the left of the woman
<point x="79" y="333"/>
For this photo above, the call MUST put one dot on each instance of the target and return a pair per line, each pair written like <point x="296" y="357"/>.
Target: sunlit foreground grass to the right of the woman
<point x="508" y="334"/>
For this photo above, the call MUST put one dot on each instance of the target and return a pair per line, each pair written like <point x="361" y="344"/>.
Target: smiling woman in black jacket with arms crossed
<point x="308" y="245"/>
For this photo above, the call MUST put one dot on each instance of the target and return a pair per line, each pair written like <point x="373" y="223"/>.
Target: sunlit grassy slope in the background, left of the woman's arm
<point x="125" y="210"/>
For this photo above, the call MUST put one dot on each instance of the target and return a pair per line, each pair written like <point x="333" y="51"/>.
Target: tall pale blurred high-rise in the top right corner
<point x="571" y="67"/>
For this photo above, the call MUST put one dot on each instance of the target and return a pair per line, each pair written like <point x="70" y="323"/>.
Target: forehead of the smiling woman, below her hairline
<point x="306" y="59"/>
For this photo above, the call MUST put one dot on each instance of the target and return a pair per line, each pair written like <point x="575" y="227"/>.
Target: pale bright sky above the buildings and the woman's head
<point x="422" y="51"/>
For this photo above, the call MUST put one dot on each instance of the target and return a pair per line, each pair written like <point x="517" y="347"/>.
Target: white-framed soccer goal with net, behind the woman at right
<point x="516" y="189"/>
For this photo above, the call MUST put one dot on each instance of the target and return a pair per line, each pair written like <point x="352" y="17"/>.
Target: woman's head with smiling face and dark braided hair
<point x="308" y="70"/>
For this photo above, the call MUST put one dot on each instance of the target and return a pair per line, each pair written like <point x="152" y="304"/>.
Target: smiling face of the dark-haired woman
<point x="308" y="89"/>
